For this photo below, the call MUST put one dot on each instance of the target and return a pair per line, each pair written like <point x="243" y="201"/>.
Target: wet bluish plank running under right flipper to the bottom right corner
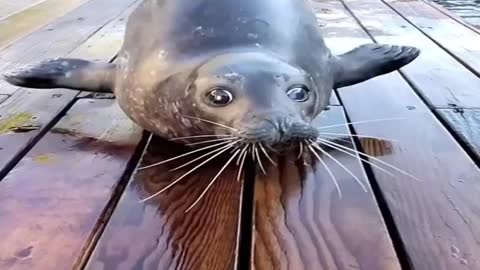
<point x="437" y="218"/>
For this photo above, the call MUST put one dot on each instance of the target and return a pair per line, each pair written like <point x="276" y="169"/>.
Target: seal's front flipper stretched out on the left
<point x="69" y="73"/>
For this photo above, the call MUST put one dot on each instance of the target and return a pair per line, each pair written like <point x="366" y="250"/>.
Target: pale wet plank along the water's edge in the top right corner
<point x="457" y="39"/>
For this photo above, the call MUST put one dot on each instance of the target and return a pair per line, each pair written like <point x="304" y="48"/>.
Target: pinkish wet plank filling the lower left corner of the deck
<point x="51" y="202"/>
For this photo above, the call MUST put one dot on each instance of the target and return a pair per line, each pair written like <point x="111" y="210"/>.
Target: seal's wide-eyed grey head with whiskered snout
<point x="261" y="98"/>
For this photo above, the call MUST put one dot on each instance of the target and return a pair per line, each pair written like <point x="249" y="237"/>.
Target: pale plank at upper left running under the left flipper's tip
<point x="60" y="37"/>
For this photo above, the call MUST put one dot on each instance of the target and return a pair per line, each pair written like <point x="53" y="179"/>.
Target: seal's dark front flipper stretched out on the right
<point x="371" y="60"/>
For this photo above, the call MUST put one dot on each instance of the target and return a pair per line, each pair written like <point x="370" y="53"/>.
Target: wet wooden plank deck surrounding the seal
<point x="69" y="191"/>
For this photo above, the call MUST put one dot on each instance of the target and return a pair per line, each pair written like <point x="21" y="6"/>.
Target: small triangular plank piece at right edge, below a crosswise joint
<point x="465" y="123"/>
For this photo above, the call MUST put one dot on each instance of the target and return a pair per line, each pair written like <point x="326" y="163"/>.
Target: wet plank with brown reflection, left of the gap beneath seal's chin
<point x="158" y="234"/>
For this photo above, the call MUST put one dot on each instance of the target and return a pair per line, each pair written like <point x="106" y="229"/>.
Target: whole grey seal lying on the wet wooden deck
<point x="259" y="67"/>
